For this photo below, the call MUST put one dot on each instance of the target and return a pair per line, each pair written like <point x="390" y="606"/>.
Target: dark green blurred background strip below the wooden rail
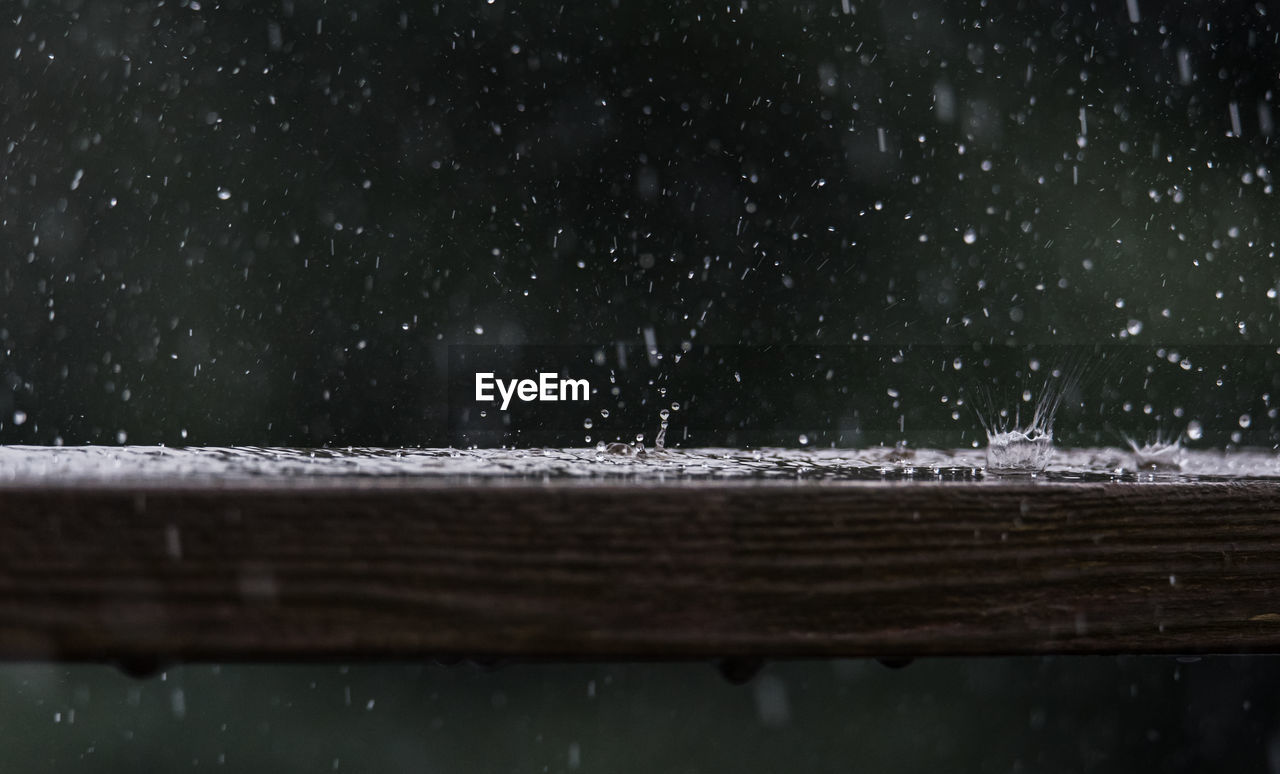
<point x="1008" y="716"/>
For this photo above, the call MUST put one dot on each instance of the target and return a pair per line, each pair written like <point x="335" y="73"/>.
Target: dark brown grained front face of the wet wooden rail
<point x="609" y="571"/>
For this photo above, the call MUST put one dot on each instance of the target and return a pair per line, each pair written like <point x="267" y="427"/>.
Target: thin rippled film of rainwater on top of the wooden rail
<point x="615" y="462"/>
